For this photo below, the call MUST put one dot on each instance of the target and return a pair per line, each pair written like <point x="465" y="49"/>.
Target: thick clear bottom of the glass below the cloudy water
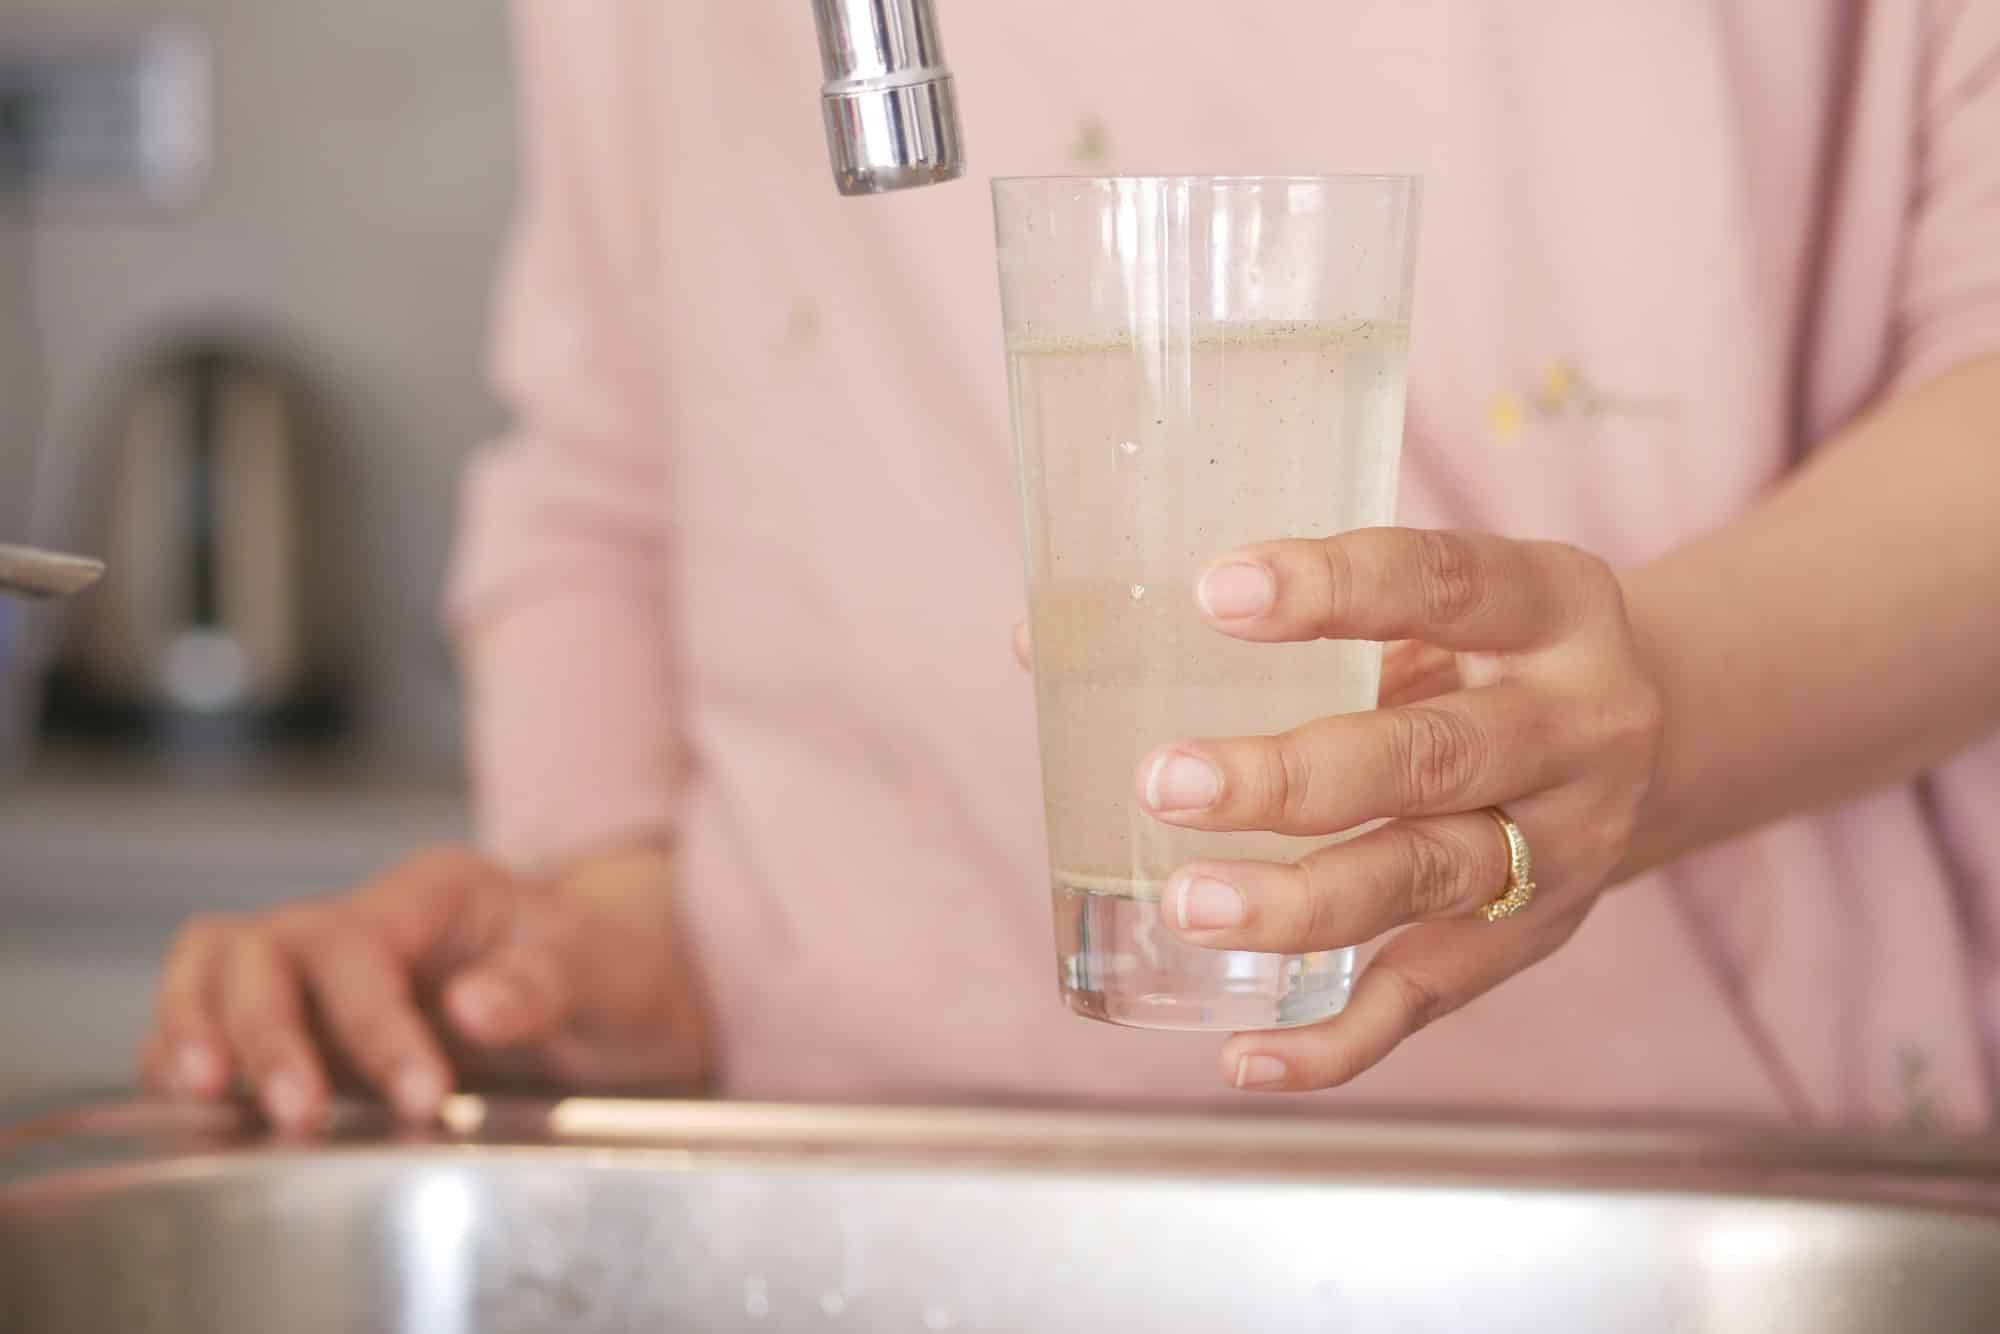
<point x="1121" y="965"/>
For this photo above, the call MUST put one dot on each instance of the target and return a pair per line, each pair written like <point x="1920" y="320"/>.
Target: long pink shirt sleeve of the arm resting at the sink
<point x="559" y="583"/>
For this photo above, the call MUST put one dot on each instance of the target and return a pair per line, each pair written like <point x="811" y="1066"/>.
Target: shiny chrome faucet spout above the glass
<point x="889" y="103"/>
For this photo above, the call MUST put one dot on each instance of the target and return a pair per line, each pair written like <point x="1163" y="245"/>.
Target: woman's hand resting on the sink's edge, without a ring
<point x="447" y="969"/>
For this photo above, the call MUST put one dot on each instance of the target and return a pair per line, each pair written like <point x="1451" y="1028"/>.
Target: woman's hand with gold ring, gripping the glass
<point x="1515" y="681"/>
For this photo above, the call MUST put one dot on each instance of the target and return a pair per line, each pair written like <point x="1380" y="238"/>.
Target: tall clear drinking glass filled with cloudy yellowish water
<point x="1197" y="363"/>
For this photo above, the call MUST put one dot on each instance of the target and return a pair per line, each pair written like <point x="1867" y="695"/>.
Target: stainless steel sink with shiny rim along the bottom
<point x="713" y="1217"/>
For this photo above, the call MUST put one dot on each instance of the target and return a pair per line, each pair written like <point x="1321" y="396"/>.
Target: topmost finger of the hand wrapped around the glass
<point x="1461" y="591"/>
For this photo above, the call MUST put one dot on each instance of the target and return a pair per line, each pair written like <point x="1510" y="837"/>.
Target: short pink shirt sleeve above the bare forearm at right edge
<point x="1949" y="307"/>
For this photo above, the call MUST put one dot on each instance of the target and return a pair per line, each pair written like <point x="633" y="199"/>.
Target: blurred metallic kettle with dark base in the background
<point x="201" y="513"/>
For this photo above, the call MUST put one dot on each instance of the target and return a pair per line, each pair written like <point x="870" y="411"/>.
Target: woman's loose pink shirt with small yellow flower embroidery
<point x="741" y="595"/>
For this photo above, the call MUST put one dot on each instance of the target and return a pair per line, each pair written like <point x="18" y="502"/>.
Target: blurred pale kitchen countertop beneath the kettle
<point x="101" y="835"/>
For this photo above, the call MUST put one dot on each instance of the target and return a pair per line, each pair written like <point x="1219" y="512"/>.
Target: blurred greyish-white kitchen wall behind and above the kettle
<point x="363" y="183"/>
